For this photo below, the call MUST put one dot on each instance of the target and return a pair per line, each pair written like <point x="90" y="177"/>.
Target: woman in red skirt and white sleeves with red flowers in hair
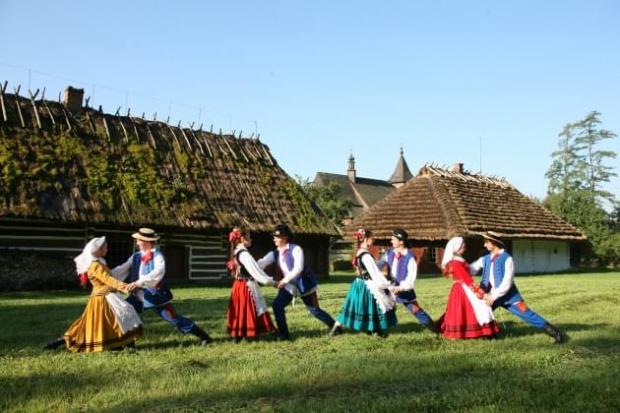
<point x="248" y="314"/>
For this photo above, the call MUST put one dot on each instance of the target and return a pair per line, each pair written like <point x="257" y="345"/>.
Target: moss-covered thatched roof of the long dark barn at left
<point x="83" y="165"/>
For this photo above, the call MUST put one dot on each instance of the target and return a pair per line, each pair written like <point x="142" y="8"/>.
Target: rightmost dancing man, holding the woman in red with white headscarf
<point x="498" y="281"/>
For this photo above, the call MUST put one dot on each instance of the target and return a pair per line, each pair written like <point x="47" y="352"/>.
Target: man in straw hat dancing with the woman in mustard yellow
<point x="147" y="268"/>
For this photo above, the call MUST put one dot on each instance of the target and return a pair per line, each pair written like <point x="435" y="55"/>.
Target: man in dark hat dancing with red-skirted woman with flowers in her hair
<point x="294" y="278"/>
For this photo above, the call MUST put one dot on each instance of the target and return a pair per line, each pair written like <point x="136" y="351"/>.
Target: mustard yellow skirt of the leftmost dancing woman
<point x="99" y="329"/>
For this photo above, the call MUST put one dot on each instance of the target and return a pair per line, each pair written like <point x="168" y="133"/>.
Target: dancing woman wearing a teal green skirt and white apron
<point x="369" y="305"/>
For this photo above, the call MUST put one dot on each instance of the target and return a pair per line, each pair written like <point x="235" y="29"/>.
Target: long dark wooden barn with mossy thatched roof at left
<point x="70" y="172"/>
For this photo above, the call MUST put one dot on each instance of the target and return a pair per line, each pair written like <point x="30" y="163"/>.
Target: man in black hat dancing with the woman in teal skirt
<point x="403" y="272"/>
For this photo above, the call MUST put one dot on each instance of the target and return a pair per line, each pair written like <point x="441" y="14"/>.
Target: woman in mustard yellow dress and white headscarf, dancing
<point x="108" y="322"/>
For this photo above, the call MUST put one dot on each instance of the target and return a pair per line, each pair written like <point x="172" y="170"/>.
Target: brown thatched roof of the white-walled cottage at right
<point x="438" y="204"/>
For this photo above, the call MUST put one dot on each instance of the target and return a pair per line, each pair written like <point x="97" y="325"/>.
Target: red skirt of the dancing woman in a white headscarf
<point x="459" y="320"/>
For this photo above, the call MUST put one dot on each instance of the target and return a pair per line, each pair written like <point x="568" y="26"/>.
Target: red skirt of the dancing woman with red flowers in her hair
<point x="241" y="318"/>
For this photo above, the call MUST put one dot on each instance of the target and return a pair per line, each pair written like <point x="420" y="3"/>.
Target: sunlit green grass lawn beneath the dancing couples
<point x="411" y="370"/>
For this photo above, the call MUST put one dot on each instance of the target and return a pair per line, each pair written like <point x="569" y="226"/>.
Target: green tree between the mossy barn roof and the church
<point x="327" y="198"/>
